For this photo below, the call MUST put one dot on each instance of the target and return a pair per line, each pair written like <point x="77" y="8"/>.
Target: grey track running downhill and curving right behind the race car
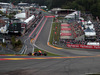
<point x="42" y="40"/>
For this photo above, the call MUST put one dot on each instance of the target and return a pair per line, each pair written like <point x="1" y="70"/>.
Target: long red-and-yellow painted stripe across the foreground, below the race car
<point x="39" y="58"/>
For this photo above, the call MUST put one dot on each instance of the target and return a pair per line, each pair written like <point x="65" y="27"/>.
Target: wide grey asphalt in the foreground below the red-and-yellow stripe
<point x="70" y="66"/>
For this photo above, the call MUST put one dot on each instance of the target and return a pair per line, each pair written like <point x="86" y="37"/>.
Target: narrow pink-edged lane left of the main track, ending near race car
<point x="32" y="35"/>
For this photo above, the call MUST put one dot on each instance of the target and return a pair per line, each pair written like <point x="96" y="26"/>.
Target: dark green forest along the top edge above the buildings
<point x="91" y="6"/>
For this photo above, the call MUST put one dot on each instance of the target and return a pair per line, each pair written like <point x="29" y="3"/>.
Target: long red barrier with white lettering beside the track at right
<point x="83" y="46"/>
